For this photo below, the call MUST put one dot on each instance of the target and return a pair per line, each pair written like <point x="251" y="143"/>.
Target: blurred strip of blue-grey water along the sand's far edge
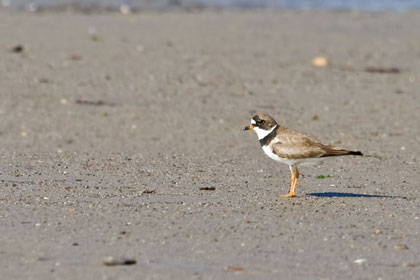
<point x="136" y="5"/>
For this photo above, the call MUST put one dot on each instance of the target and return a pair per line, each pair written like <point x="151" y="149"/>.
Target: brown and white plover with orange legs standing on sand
<point x="290" y="147"/>
